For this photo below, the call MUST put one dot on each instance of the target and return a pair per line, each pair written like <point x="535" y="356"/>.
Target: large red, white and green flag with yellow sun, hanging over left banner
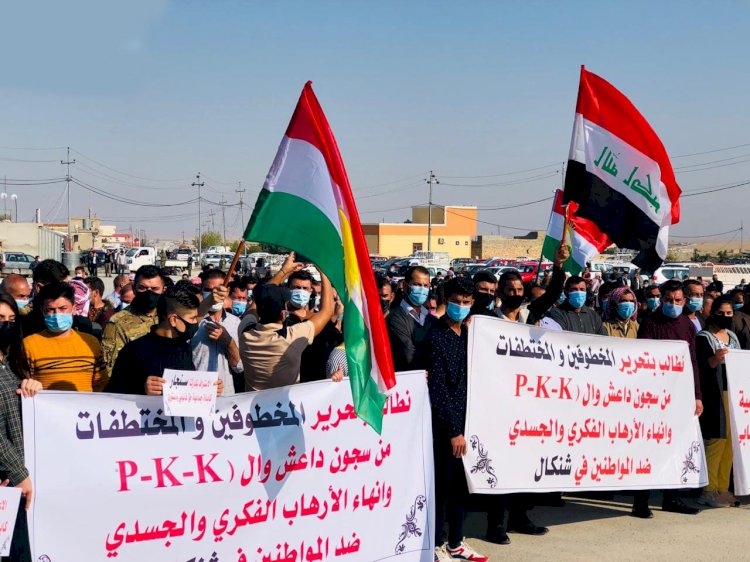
<point x="307" y="205"/>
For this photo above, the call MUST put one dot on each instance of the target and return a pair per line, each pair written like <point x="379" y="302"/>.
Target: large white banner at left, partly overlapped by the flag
<point x="285" y="475"/>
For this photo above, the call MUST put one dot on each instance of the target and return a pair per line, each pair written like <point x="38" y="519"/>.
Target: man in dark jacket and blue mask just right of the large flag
<point x="409" y="324"/>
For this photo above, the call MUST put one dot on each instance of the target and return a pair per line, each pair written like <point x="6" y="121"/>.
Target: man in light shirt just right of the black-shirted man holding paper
<point x="215" y="345"/>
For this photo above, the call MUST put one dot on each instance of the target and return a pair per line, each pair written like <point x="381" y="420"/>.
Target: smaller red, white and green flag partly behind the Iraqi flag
<point x="584" y="239"/>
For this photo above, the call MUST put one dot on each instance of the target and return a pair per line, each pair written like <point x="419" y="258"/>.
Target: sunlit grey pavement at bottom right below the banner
<point x="603" y="531"/>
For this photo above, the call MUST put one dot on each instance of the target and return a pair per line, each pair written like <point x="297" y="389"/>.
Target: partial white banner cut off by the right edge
<point x="738" y="387"/>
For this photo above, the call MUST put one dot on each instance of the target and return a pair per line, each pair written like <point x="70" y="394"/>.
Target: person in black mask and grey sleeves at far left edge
<point x="14" y="380"/>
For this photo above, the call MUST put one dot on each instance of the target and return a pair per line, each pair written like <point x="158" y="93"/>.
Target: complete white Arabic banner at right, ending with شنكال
<point x="559" y="411"/>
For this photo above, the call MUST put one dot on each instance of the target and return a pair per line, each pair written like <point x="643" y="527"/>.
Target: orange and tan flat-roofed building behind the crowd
<point x="453" y="229"/>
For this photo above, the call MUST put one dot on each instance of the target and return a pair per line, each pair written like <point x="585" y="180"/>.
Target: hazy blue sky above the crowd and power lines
<point x="161" y="90"/>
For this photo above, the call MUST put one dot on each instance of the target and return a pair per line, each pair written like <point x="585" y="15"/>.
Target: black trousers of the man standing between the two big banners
<point x="451" y="493"/>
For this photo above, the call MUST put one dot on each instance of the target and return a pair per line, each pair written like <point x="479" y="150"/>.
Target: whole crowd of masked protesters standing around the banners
<point x="62" y="332"/>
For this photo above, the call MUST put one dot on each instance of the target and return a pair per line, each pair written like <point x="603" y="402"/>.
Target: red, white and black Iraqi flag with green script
<point x="619" y="173"/>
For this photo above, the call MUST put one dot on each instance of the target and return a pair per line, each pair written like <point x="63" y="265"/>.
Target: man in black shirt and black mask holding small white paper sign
<point x="141" y="363"/>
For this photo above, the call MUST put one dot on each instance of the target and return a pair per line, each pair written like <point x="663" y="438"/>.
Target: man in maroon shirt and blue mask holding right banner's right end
<point x="669" y="323"/>
